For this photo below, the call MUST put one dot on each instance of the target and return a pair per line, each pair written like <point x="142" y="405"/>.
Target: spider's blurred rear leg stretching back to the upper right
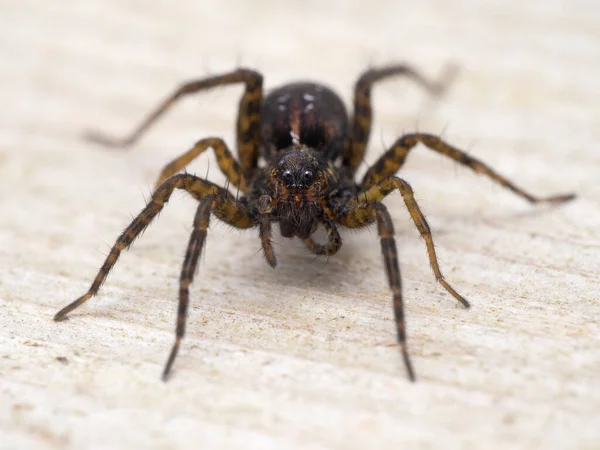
<point x="360" y="127"/>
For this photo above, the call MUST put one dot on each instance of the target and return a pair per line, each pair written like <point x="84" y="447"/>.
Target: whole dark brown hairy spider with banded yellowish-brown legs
<point x="311" y="151"/>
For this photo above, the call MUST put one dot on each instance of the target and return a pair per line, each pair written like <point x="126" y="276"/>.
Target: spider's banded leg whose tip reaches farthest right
<point x="394" y="158"/>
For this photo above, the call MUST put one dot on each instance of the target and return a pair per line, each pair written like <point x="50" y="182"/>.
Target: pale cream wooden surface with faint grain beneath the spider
<point x="302" y="356"/>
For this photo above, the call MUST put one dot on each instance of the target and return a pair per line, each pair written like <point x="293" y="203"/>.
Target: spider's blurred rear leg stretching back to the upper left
<point x="248" y="120"/>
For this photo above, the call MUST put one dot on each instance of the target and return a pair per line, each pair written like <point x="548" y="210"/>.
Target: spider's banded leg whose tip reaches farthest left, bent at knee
<point x="226" y="209"/>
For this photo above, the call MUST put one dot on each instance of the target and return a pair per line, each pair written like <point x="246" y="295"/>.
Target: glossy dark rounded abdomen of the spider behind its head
<point x="312" y="112"/>
